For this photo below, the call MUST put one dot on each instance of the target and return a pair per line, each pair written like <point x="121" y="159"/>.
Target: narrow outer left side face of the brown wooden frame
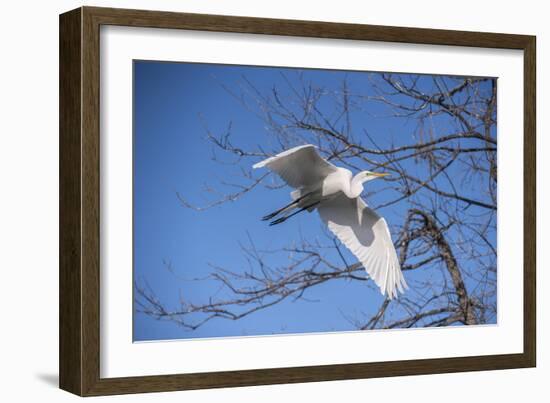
<point x="70" y="271"/>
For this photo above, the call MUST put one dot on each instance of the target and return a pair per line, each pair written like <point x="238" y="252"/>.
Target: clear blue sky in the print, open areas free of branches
<point x="174" y="106"/>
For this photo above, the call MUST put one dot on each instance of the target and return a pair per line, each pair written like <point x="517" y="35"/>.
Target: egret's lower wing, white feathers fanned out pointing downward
<point x="367" y="236"/>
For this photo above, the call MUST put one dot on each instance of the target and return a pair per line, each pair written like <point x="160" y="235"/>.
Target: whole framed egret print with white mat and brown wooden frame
<point x="249" y="201"/>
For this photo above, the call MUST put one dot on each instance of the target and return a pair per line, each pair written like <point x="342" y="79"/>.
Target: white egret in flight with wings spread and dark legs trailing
<point x="336" y="194"/>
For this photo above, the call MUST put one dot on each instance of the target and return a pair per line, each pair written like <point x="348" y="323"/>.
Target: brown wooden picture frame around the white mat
<point x="79" y="348"/>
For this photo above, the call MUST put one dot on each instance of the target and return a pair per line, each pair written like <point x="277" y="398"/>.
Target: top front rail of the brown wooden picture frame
<point x="316" y="29"/>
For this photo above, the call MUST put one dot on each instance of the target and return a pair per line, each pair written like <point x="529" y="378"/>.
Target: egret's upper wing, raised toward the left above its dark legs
<point x="300" y="166"/>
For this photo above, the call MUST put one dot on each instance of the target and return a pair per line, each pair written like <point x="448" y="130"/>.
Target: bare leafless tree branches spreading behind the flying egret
<point x="444" y="179"/>
